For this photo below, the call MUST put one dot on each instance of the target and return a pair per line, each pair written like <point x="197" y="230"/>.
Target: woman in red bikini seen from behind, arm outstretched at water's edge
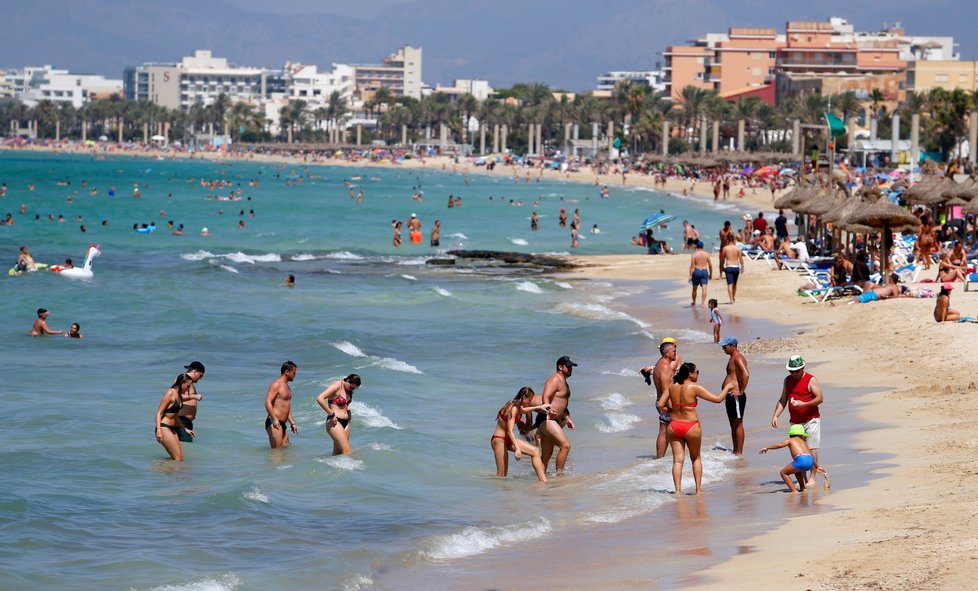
<point x="684" y="431"/>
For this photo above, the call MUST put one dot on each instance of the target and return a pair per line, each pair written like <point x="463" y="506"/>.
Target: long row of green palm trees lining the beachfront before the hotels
<point x="636" y="112"/>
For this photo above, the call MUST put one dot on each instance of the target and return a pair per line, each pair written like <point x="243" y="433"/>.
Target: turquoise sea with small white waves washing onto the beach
<point x="89" y="499"/>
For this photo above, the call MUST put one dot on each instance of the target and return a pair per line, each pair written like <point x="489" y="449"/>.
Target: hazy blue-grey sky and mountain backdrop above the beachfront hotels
<point x="565" y="44"/>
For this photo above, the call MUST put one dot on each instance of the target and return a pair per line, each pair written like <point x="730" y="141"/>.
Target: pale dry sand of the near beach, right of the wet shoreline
<point x="912" y="528"/>
